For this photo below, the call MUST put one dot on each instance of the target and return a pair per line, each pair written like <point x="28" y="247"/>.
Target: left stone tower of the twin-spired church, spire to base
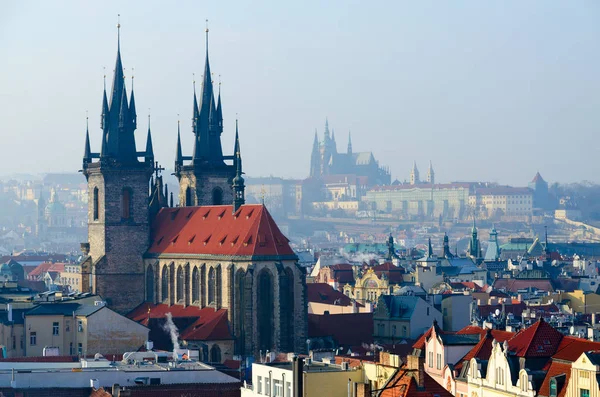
<point x="118" y="217"/>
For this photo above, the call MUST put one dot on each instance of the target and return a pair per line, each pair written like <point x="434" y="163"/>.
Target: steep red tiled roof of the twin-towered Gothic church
<point x="216" y="230"/>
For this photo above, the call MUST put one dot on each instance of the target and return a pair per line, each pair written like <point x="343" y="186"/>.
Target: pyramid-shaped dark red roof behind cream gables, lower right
<point x="538" y="340"/>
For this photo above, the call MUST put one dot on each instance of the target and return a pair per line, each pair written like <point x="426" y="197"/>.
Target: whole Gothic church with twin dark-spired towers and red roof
<point x="212" y="251"/>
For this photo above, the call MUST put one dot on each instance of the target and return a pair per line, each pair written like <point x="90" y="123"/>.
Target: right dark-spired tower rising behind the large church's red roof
<point x="207" y="180"/>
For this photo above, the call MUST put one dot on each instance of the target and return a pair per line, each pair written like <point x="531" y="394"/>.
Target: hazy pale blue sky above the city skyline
<point x="486" y="90"/>
